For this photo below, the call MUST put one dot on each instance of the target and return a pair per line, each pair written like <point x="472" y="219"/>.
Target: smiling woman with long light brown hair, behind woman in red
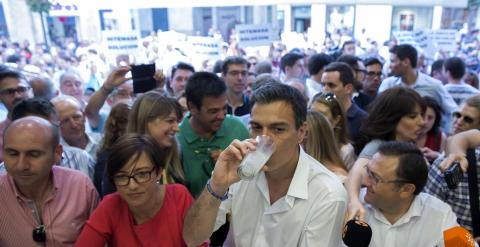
<point x="158" y="116"/>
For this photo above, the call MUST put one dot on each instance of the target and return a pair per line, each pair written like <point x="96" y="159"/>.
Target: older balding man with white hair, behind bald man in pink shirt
<point x="72" y="125"/>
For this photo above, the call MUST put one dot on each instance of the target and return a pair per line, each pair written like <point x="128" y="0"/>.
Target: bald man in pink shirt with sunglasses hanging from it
<point x="42" y="204"/>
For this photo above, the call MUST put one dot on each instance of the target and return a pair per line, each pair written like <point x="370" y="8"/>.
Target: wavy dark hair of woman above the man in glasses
<point x="385" y="112"/>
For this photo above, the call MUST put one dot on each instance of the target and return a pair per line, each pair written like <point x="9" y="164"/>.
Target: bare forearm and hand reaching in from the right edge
<point x="457" y="146"/>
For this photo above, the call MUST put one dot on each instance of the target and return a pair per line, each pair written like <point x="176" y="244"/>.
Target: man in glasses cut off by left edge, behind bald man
<point x="13" y="88"/>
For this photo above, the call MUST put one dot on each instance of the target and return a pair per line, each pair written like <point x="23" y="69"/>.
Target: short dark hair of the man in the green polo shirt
<point x="201" y="85"/>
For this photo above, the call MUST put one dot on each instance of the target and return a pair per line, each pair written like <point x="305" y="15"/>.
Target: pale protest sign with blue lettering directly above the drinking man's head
<point x="253" y="35"/>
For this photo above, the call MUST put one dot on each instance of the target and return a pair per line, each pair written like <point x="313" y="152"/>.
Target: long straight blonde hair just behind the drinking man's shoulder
<point x="320" y="141"/>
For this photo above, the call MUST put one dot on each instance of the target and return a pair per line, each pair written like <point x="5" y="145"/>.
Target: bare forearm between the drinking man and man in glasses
<point x="353" y="185"/>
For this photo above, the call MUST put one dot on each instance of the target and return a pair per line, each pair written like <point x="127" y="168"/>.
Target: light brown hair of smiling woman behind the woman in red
<point x="148" y="107"/>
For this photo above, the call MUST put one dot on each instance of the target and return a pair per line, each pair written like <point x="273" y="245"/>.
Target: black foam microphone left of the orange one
<point x="357" y="233"/>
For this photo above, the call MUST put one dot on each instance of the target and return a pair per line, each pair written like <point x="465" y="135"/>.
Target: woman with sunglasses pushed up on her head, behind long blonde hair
<point x="330" y="107"/>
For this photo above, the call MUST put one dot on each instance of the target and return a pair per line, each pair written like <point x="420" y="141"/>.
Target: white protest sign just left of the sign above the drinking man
<point x="205" y="47"/>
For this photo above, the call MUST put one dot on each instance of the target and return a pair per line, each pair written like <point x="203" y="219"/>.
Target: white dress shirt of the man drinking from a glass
<point x="310" y="214"/>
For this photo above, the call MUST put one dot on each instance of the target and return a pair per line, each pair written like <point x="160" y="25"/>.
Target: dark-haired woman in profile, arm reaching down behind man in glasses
<point x="396" y="114"/>
